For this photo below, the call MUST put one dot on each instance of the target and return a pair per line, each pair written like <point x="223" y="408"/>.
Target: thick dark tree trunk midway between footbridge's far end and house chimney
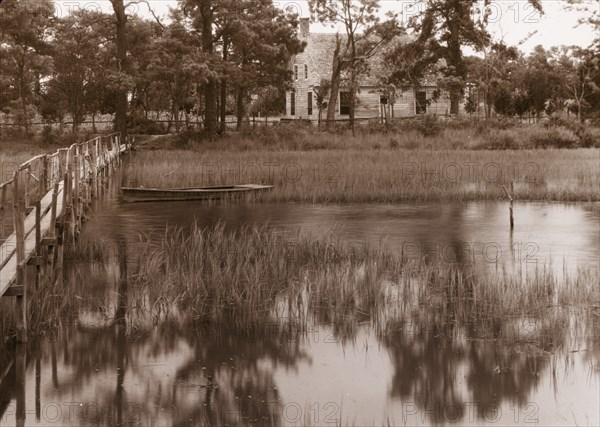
<point x="210" y="88"/>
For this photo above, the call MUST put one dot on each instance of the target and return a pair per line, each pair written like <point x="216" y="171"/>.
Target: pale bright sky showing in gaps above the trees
<point x="511" y="20"/>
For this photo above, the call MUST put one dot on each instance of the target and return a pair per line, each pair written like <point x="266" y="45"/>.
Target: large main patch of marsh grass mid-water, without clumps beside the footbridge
<point x="253" y="274"/>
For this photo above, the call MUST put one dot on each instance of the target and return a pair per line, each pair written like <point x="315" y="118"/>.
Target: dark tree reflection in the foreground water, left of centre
<point x="238" y="389"/>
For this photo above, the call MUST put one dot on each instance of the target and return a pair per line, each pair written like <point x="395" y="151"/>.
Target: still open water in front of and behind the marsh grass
<point x="93" y="372"/>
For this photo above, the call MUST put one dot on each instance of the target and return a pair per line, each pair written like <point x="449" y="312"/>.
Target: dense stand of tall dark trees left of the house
<point x="211" y="58"/>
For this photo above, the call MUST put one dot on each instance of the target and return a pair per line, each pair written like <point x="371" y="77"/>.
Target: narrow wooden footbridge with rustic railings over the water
<point x="49" y="195"/>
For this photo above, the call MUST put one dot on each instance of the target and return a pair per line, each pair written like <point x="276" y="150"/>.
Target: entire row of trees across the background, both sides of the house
<point x="214" y="58"/>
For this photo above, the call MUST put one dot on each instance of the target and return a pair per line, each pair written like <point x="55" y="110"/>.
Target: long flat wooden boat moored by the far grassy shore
<point x="199" y="193"/>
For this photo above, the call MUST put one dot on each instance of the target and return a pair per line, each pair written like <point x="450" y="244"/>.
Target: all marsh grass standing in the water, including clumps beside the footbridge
<point x="254" y="279"/>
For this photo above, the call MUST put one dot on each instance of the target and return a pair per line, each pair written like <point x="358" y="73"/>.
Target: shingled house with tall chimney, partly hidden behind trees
<point x="315" y="64"/>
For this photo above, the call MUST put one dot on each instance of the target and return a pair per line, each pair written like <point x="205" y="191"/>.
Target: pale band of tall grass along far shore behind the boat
<point x="379" y="176"/>
